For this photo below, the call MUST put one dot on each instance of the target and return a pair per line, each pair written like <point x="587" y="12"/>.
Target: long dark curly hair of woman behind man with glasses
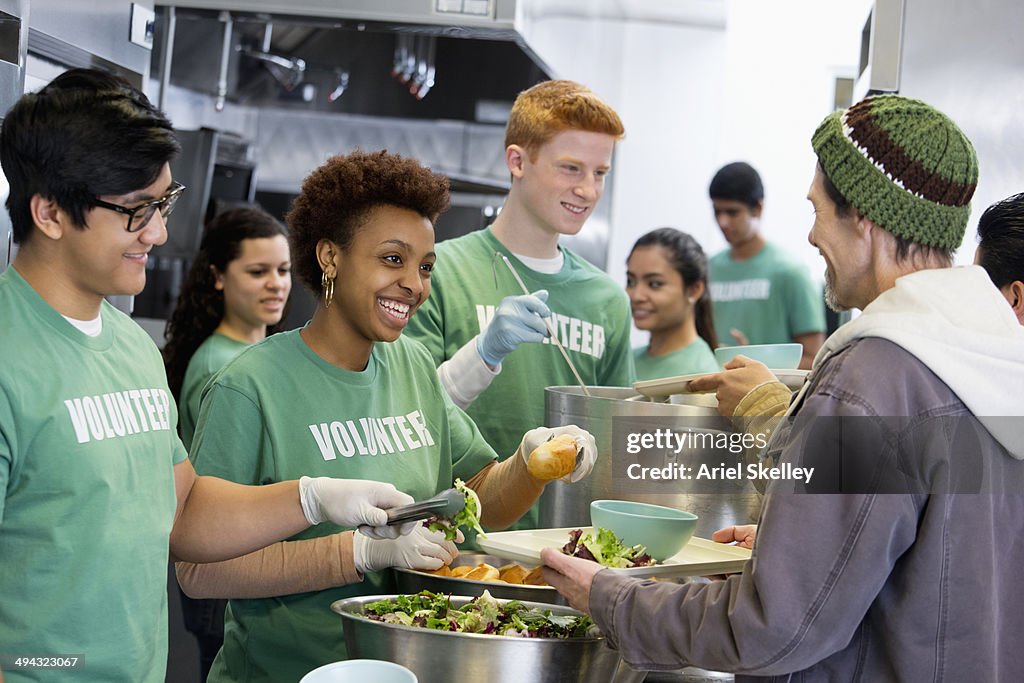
<point x="201" y="306"/>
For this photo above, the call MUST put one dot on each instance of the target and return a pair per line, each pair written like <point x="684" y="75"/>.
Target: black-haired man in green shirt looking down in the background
<point x="761" y="294"/>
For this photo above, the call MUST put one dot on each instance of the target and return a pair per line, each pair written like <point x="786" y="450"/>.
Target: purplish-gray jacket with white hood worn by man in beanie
<point x="921" y="585"/>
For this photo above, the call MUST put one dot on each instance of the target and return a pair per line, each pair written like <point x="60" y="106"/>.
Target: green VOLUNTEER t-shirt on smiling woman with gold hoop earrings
<point x="280" y="412"/>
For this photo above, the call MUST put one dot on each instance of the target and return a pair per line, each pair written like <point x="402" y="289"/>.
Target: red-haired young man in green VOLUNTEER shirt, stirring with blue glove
<point x="492" y="344"/>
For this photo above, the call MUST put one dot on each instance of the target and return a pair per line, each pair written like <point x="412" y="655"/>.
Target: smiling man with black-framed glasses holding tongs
<point x="94" y="479"/>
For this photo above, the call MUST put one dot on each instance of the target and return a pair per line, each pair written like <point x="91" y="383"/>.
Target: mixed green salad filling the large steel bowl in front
<point x="482" y="615"/>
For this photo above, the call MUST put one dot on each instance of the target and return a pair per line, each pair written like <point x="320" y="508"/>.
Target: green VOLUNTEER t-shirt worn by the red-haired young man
<point x="591" y="314"/>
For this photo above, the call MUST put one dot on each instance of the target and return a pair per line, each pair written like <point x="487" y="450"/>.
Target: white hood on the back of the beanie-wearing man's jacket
<point x="956" y="322"/>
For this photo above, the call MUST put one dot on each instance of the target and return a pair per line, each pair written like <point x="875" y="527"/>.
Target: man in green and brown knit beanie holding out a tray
<point x="899" y="561"/>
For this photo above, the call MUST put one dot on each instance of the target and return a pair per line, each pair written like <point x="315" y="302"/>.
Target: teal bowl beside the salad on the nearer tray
<point x="663" y="531"/>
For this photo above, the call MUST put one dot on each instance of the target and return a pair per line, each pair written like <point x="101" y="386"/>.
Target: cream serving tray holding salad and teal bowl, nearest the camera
<point x="698" y="559"/>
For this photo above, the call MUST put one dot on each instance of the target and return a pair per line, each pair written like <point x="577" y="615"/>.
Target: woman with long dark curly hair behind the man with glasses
<point x="235" y="294"/>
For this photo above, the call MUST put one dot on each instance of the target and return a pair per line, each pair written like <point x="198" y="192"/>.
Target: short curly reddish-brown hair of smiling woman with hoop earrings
<point x="338" y="196"/>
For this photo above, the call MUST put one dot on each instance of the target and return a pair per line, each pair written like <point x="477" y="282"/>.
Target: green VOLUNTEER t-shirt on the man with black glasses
<point x="88" y="450"/>
